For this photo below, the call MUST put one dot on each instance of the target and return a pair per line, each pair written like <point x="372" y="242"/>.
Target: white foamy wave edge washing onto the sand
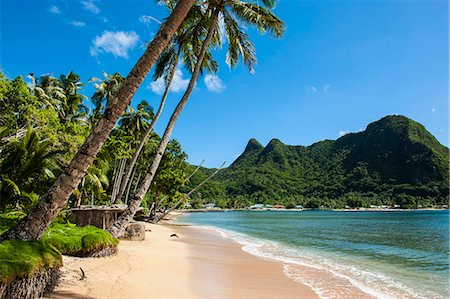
<point x="328" y="277"/>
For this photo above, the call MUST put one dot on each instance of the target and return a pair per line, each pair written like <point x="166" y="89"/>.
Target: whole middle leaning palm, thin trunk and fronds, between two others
<point x="165" y="68"/>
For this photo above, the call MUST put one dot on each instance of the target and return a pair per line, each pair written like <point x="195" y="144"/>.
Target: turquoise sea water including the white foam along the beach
<point x="403" y="254"/>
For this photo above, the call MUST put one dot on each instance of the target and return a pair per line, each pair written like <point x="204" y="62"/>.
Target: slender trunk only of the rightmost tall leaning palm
<point x="117" y="228"/>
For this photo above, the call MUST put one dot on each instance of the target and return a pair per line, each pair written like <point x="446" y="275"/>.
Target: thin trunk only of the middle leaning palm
<point x="146" y="135"/>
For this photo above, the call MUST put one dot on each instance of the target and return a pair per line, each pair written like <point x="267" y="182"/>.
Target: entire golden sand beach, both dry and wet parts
<point x="197" y="265"/>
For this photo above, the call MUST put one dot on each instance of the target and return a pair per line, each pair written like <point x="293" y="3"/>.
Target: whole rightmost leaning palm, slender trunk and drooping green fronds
<point x="239" y="46"/>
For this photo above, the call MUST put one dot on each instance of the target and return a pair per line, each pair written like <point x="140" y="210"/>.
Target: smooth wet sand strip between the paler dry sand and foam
<point x="221" y="269"/>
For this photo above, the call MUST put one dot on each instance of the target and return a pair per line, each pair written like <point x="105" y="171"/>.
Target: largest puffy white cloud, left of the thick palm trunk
<point x="117" y="43"/>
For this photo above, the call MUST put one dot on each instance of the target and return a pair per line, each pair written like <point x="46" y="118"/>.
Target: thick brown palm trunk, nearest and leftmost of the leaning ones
<point x="35" y="224"/>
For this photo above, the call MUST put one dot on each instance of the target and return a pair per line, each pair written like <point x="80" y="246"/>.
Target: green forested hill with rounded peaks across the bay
<point x="394" y="161"/>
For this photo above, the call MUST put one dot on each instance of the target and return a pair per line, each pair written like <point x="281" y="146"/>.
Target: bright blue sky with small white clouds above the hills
<point x="339" y="66"/>
